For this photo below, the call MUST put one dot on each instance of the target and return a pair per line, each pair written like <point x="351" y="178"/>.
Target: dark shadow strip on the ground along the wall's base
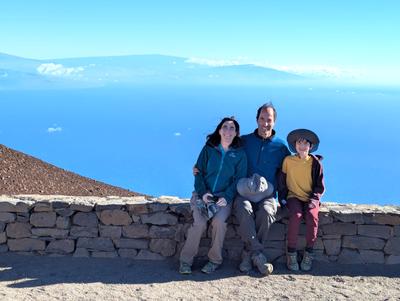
<point x="32" y="271"/>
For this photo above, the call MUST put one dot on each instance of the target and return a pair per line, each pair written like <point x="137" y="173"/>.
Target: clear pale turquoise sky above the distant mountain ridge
<point x="348" y="38"/>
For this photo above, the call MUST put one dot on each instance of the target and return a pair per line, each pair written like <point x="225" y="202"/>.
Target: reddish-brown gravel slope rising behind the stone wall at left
<point x="24" y="174"/>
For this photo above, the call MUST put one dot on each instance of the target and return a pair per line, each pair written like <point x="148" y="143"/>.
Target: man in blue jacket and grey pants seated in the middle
<point x="265" y="154"/>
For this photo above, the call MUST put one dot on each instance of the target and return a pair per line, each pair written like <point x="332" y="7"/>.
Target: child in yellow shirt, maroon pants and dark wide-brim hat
<point x="301" y="185"/>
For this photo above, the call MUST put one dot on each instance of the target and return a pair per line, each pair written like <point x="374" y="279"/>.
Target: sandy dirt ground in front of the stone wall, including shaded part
<point x="66" y="278"/>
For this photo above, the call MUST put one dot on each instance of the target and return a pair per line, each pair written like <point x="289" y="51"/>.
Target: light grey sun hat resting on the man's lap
<point x="255" y="188"/>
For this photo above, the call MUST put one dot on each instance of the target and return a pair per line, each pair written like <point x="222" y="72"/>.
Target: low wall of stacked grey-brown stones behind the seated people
<point x="155" y="229"/>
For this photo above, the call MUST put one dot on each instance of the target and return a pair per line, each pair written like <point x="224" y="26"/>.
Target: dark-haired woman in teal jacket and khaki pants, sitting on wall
<point x="221" y="163"/>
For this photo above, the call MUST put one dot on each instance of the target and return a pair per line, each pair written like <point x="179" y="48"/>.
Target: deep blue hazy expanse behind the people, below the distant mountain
<point x="147" y="138"/>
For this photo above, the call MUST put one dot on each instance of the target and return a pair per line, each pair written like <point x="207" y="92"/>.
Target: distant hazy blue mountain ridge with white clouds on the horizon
<point x="130" y="70"/>
